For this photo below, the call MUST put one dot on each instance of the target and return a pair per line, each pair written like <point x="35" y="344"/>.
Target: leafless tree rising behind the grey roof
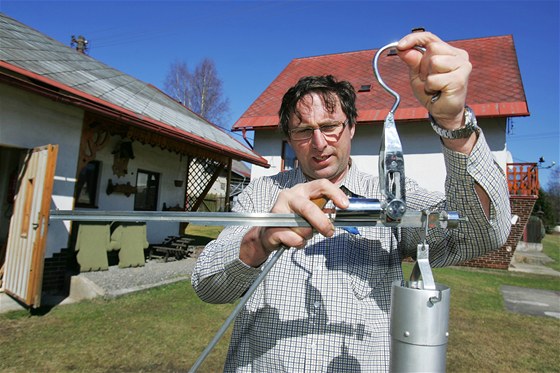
<point x="201" y="91"/>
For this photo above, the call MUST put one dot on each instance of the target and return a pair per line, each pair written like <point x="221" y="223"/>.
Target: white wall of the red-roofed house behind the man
<point x="421" y="147"/>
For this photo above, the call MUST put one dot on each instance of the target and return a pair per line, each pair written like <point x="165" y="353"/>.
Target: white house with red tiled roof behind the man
<point x="495" y="94"/>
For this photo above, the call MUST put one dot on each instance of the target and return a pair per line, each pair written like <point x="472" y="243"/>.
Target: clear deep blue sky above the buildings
<point x="251" y="42"/>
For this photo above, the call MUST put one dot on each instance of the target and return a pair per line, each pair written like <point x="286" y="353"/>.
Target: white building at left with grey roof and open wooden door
<point x="78" y="134"/>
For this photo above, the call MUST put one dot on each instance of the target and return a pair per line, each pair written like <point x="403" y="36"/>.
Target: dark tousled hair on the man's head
<point x="327" y="87"/>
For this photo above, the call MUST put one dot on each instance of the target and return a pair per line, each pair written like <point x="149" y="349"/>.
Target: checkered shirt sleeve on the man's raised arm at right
<point x="478" y="235"/>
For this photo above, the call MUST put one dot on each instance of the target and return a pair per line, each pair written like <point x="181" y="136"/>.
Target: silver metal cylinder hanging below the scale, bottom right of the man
<point x="419" y="327"/>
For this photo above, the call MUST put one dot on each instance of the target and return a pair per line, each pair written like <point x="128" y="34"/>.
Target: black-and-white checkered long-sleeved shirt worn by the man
<point x="325" y="308"/>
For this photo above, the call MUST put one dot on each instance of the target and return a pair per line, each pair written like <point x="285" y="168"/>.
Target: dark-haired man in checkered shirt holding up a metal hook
<point x="324" y="306"/>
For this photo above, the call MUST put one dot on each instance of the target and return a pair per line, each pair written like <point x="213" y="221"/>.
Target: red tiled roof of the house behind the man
<point x="495" y="86"/>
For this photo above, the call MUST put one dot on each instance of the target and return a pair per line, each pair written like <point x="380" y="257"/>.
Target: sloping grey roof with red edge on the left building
<point x="32" y="54"/>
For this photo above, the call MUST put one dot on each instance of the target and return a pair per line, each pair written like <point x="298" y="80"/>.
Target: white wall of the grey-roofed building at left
<point x="28" y="120"/>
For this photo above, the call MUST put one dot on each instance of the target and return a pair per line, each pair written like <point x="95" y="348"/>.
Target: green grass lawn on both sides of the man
<point x="165" y="329"/>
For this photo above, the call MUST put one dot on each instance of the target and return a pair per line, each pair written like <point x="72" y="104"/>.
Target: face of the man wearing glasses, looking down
<point x="321" y="157"/>
